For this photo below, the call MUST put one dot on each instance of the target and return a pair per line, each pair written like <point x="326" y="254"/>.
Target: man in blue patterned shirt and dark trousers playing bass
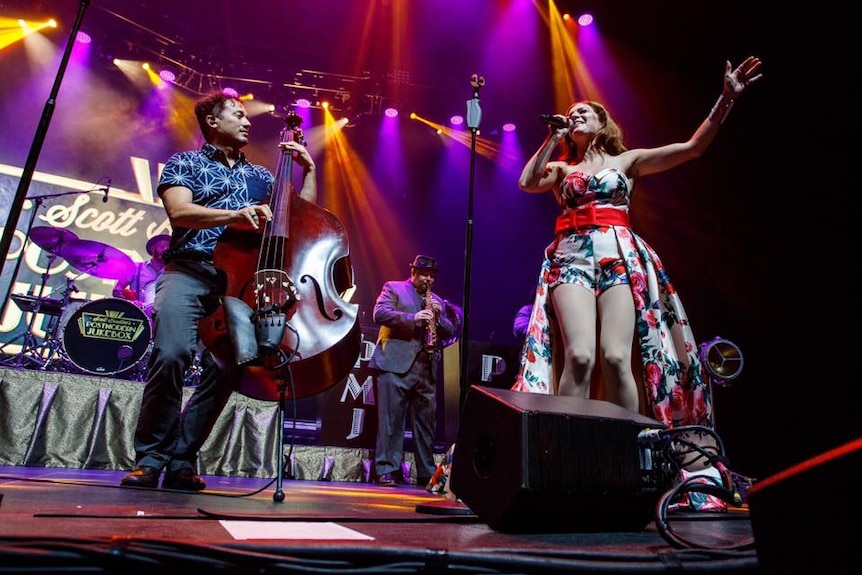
<point x="204" y="192"/>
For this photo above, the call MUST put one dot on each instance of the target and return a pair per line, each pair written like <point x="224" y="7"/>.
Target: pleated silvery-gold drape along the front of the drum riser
<point x="52" y="419"/>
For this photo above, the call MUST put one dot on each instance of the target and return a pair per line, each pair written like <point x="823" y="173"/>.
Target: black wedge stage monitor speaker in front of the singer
<point x="527" y="462"/>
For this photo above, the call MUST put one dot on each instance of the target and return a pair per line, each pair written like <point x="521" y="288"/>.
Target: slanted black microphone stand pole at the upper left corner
<point x="36" y="148"/>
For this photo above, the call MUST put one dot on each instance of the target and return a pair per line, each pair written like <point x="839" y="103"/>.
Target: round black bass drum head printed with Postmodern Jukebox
<point x="107" y="336"/>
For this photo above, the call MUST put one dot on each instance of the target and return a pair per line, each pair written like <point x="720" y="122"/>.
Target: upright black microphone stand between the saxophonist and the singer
<point x="474" y="118"/>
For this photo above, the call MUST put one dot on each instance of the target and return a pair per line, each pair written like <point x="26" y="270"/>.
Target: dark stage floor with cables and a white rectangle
<point x="56" y="520"/>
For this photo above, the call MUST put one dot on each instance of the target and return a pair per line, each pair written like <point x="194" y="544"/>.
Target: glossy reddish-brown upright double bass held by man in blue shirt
<point x="285" y="325"/>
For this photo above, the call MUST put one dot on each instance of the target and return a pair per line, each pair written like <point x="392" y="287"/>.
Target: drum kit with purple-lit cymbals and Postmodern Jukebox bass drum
<point x="102" y="337"/>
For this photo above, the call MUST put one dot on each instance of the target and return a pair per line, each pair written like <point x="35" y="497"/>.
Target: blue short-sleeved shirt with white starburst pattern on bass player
<point x="214" y="185"/>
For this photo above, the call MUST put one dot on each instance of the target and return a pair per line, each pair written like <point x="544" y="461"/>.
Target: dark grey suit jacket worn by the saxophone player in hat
<point x="400" y="337"/>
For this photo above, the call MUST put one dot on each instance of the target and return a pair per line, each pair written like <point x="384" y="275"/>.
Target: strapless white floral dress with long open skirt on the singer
<point x="597" y="257"/>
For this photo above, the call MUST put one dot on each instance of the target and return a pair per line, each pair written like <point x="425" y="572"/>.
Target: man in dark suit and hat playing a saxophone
<point x="405" y="365"/>
